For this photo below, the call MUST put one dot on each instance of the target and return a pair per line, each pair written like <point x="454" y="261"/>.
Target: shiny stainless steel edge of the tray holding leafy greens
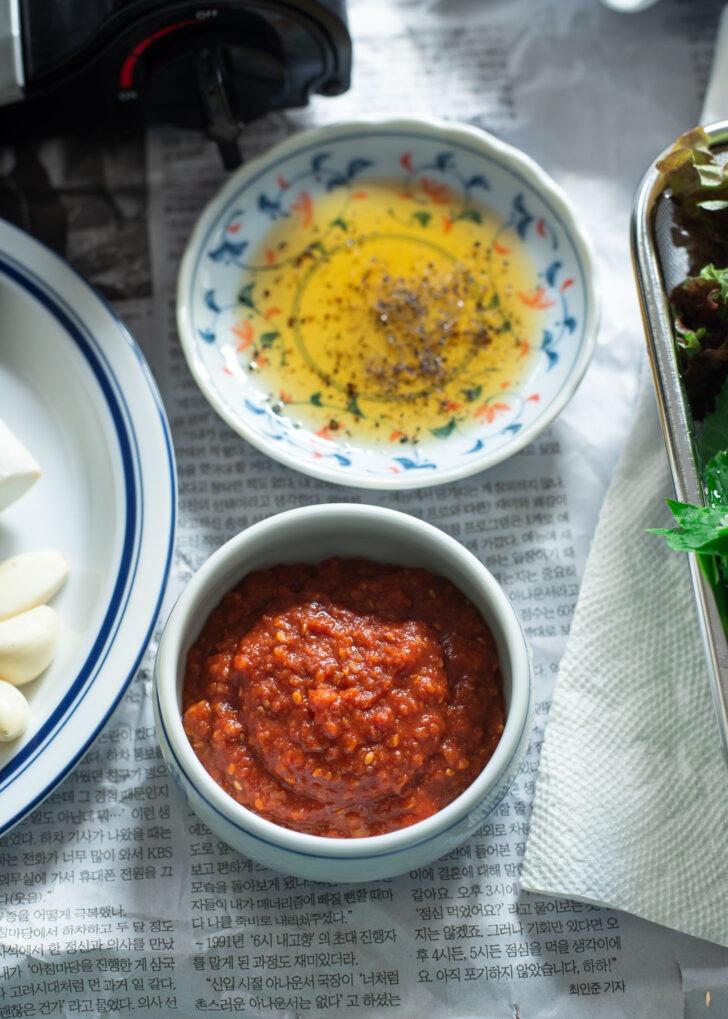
<point x="659" y="265"/>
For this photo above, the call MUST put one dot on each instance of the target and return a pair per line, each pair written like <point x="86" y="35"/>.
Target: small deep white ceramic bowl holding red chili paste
<point x="313" y="534"/>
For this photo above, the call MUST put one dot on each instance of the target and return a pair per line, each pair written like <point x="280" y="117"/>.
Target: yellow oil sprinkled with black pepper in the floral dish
<point x="394" y="315"/>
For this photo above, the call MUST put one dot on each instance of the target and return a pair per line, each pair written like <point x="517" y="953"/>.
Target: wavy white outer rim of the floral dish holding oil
<point x="461" y="133"/>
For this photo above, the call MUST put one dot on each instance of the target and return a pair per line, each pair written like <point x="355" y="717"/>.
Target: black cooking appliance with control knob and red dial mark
<point x="103" y="66"/>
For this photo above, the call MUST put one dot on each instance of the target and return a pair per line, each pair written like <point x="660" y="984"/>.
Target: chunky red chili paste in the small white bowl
<point x="345" y="700"/>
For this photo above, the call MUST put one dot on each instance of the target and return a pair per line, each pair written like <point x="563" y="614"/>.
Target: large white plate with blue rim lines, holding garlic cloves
<point x="77" y="392"/>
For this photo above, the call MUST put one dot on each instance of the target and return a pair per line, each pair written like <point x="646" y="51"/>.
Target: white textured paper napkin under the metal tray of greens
<point x="632" y="803"/>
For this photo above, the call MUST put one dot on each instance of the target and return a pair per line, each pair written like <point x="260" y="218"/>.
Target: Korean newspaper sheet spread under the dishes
<point x="115" y="899"/>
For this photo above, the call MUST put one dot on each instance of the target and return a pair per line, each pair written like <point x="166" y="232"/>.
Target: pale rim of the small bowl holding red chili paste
<point x="217" y="576"/>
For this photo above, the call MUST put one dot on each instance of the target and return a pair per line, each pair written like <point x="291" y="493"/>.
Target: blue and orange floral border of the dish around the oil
<point x="460" y="169"/>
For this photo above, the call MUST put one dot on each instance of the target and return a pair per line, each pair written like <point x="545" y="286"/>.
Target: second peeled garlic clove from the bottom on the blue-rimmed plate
<point x="28" y="643"/>
